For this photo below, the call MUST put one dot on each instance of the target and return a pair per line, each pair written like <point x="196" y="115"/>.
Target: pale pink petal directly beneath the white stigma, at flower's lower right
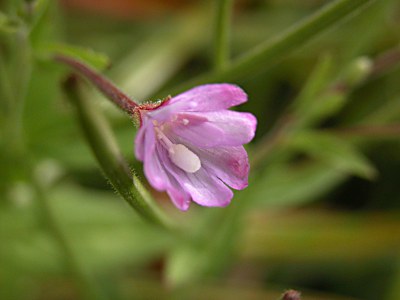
<point x="204" y="189"/>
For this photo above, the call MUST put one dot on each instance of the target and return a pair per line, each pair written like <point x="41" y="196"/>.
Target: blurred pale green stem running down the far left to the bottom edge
<point x="16" y="91"/>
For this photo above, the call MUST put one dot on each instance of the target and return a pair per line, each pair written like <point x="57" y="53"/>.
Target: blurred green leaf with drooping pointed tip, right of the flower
<point x="334" y="151"/>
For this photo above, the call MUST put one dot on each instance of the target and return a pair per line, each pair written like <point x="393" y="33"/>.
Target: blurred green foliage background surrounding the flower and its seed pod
<point x="321" y="213"/>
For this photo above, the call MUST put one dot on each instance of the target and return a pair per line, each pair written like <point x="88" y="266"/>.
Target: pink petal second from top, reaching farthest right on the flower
<point x="223" y="128"/>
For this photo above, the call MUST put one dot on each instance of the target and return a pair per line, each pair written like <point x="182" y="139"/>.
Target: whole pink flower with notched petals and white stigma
<point x="192" y="145"/>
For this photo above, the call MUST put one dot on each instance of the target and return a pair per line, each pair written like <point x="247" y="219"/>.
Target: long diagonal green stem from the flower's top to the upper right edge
<point x="272" y="51"/>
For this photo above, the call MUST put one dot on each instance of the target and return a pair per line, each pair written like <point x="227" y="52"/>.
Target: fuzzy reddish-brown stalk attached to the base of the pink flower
<point x="102" y="83"/>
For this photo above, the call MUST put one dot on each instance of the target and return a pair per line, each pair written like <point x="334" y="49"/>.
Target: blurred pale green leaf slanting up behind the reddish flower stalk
<point x="152" y="63"/>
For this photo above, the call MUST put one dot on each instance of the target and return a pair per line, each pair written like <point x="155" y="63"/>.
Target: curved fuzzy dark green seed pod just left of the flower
<point x="115" y="168"/>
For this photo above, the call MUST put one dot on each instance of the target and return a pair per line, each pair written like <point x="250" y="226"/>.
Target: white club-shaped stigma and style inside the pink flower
<point x="179" y="154"/>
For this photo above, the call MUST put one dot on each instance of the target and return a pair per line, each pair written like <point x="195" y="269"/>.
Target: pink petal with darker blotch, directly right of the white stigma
<point x="230" y="164"/>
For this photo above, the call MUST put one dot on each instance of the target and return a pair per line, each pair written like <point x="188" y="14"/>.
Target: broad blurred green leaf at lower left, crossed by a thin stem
<point x="103" y="231"/>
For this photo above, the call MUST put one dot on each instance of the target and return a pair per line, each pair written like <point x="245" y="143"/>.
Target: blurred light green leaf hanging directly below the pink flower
<point x="209" y="251"/>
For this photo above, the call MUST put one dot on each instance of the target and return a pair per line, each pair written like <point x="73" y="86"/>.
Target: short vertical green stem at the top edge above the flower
<point x="222" y="26"/>
